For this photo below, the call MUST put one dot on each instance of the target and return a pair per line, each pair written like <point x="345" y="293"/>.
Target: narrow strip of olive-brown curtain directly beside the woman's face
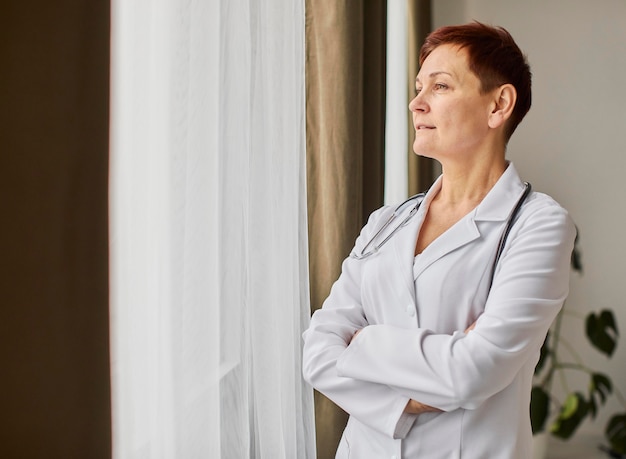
<point x="421" y="170"/>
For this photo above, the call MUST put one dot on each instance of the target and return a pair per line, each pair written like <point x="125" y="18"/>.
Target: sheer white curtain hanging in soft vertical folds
<point x="209" y="280"/>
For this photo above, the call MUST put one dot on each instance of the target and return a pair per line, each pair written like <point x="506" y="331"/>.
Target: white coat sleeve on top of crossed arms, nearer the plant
<point x="463" y="370"/>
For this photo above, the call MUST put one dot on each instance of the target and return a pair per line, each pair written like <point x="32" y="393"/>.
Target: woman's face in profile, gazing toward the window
<point x="450" y="115"/>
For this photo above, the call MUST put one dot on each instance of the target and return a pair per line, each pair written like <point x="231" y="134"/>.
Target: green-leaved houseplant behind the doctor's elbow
<point x="561" y="418"/>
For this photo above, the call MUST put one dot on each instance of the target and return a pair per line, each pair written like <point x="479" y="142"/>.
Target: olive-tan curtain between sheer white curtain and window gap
<point x="345" y="99"/>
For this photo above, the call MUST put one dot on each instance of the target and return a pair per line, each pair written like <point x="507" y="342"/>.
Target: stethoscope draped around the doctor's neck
<point x="371" y="248"/>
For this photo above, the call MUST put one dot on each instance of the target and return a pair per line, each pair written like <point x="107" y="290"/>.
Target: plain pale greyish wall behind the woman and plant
<point x="572" y="144"/>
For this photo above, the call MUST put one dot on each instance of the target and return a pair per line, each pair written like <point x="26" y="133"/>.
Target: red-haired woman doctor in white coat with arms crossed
<point x="426" y="340"/>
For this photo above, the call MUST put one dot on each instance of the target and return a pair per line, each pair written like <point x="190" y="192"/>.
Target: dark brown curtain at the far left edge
<point x="54" y="88"/>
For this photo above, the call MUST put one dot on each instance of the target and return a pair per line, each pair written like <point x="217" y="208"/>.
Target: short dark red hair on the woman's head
<point x="494" y="57"/>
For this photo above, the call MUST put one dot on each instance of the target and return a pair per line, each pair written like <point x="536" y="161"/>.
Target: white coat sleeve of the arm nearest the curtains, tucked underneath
<point x="331" y="328"/>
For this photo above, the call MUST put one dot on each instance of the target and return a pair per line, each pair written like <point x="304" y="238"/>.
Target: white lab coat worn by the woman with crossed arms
<point x="413" y="313"/>
